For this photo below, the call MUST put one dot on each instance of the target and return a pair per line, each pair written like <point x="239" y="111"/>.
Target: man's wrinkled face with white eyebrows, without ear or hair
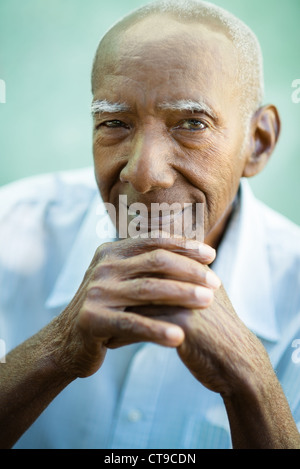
<point x="178" y="135"/>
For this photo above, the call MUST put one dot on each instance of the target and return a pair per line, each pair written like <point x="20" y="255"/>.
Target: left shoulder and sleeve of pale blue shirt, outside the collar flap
<point x="39" y="220"/>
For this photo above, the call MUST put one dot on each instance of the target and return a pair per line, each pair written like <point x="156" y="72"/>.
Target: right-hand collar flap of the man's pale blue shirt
<point x="243" y="266"/>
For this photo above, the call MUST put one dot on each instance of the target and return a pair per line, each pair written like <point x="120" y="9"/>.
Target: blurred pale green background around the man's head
<point x="46" y="54"/>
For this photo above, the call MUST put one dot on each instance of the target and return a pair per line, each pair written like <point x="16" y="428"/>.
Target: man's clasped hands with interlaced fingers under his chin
<point x="158" y="290"/>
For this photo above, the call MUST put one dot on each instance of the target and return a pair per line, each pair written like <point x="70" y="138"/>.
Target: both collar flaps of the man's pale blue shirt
<point x="242" y="263"/>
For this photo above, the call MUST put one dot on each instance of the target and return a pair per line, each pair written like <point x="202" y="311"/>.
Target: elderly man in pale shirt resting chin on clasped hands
<point x="171" y="358"/>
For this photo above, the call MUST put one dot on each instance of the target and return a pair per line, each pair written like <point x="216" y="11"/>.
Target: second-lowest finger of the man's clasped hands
<point x="150" y="291"/>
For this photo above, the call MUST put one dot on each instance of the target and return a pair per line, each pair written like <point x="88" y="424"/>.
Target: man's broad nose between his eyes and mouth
<point x="149" y="166"/>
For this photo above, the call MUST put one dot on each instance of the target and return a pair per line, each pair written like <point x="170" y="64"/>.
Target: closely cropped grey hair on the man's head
<point x="249" y="64"/>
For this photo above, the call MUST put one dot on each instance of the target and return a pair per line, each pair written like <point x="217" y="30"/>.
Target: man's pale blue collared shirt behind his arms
<point x="143" y="396"/>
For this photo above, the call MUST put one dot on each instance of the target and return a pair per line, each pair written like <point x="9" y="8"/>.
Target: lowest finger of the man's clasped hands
<point x="125" y="328"/>
